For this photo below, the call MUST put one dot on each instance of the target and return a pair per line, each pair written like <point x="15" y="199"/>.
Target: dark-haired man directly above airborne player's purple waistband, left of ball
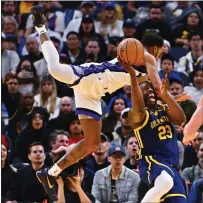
<point x="93" y="51"/>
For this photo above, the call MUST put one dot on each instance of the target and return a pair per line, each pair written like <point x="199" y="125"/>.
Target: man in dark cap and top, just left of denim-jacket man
<point x="99" y="159"/>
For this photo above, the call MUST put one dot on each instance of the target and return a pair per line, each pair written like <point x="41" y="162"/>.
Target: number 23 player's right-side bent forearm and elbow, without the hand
<point x="175" y="112"/>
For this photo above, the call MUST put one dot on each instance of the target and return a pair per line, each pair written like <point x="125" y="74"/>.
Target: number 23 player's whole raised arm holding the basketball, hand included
<point x="137" y="113"/>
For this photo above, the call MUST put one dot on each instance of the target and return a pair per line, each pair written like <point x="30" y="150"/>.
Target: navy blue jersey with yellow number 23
<point x="157" y="136"/>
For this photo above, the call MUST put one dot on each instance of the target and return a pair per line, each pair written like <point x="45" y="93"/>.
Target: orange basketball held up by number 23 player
<point x="131" y="50"/>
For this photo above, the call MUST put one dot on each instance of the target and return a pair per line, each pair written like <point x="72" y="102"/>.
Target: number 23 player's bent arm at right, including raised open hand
<point x="174" y="111"/>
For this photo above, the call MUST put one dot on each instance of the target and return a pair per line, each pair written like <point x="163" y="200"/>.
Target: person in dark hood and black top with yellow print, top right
<point x="191" y="21"/>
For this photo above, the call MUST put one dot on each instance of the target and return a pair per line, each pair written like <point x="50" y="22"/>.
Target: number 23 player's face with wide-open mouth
<point x="148" y="94"/>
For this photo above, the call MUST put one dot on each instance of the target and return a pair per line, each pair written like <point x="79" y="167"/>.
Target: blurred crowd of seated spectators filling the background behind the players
<point x="38" y="112"/>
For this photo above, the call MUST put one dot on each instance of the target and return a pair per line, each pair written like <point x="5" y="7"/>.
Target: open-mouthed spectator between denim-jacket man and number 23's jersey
<point x="131" y="145"/>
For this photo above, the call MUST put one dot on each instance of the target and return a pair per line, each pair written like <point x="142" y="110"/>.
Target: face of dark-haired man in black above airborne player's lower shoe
<point x="37" y="155"/>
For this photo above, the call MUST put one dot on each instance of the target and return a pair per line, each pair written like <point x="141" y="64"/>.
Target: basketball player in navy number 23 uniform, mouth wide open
<point x="153" y="125"/>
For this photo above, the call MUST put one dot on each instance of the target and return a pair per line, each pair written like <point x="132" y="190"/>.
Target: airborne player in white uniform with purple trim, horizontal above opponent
<point x="90" y="82"/>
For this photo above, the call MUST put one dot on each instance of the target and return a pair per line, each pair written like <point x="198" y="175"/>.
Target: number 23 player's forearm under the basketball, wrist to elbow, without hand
<point x="138" y="104"/>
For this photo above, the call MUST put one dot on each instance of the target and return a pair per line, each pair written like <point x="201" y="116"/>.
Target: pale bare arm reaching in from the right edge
<point x="194" y="124"/>
